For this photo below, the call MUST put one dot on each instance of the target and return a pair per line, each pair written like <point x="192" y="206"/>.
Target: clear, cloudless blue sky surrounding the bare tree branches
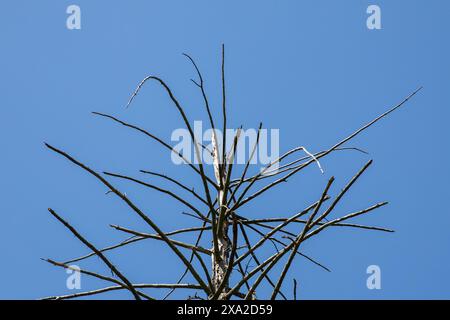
<point x="310" y="68"/>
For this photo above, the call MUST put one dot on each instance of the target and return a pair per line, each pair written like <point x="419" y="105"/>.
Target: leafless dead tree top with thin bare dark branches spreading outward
<point x="222" y="223"/>
